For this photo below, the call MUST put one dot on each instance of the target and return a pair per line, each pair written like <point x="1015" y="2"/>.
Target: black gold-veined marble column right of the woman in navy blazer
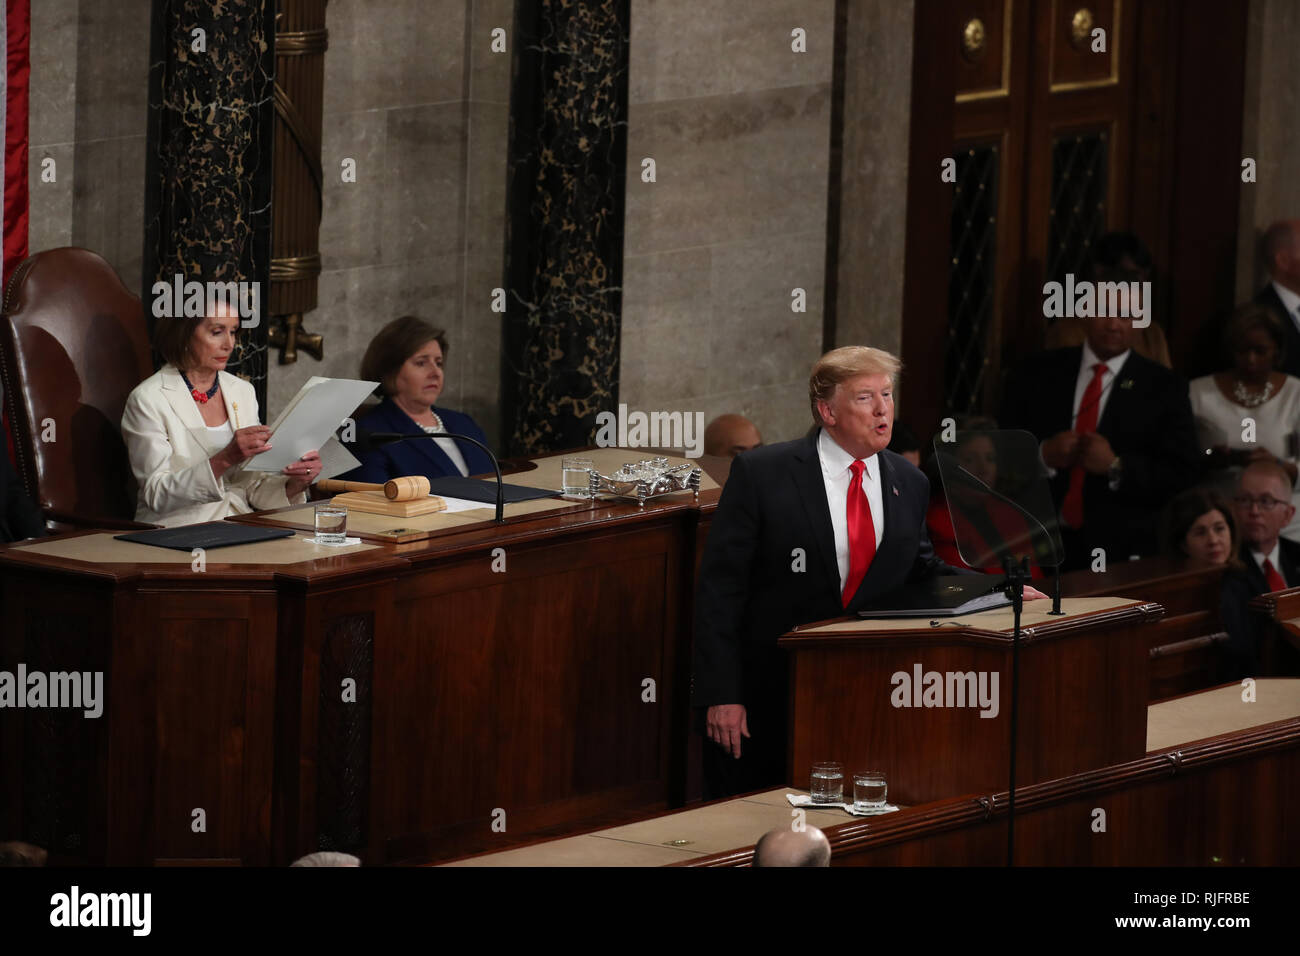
<point x="565" y="235"/>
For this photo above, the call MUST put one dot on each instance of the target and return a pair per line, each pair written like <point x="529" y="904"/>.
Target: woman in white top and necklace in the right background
<point x="1253" y="392"/>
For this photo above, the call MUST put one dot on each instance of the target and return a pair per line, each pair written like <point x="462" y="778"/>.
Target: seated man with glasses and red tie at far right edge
<point x="1263" y="507"/>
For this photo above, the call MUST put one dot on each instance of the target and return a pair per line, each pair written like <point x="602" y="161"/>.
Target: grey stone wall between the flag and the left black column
<point x="89" y="114"/>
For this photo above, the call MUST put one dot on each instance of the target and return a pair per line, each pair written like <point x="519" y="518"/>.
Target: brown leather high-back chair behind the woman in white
<point x="73" y="344"/>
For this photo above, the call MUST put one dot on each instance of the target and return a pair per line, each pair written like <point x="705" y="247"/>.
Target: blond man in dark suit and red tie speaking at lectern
<point x="805" y="530"/>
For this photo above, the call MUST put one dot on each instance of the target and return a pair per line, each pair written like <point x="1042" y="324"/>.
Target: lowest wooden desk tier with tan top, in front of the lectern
<point x="1216" y="788"/>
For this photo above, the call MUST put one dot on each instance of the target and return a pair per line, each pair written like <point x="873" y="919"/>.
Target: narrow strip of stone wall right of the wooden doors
<point x="1269" y="133"/>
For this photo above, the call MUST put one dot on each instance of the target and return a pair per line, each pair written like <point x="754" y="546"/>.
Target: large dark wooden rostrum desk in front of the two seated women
<point x="387" y="699"/>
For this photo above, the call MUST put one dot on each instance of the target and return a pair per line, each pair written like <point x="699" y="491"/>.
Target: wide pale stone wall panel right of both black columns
<point x="739" y="128"/>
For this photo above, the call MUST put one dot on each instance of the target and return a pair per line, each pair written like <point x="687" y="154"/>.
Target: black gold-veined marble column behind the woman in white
<point x="209" y="179"/>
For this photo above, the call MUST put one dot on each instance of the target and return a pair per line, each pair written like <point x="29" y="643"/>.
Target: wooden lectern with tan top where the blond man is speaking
<point x="1082" y="697"/>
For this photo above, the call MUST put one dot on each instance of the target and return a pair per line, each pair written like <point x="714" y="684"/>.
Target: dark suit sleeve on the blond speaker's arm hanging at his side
<point x="722" y="596"/>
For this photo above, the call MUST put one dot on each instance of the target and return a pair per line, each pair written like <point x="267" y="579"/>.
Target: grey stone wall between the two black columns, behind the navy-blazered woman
<point x="415" y="96"/>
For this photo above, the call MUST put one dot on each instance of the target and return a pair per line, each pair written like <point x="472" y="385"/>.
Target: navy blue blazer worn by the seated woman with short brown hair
<point x="422" y="457"/>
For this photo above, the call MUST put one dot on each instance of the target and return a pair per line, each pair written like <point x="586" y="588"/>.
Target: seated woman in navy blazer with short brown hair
<point x="406" y="358"/>
